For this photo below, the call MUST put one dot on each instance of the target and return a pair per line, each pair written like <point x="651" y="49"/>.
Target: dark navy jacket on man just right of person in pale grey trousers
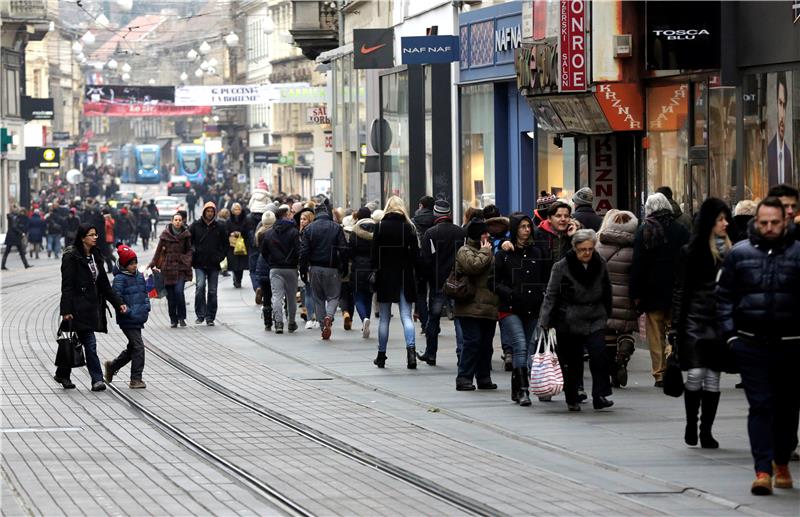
<point x="322" y="244"/>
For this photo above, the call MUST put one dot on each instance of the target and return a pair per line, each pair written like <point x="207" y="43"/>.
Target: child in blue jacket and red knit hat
<point x="130" y="285"/>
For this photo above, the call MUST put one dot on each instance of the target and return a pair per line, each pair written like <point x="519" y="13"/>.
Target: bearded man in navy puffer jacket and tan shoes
<point x="758" y="303"/>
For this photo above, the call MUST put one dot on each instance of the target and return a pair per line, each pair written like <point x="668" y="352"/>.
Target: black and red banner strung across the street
<point x="135" y="101"/>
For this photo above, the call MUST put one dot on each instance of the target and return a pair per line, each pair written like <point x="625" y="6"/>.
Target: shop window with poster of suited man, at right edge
<point x="771" y="109"/>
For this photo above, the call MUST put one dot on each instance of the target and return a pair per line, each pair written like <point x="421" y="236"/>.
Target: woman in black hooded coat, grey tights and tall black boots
<point x="696" y="337"/>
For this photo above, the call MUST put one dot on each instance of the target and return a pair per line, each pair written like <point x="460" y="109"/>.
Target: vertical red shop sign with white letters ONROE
<point x="572" y="39"/>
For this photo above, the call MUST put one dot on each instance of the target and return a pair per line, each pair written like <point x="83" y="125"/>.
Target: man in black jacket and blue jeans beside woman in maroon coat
<point x="209" y="246"/>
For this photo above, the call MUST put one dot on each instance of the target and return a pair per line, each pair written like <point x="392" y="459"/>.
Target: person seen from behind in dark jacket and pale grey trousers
<point x="280" y="247"/>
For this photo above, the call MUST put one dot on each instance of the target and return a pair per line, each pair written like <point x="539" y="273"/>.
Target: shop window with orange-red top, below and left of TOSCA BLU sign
<point x="668" y="137"/>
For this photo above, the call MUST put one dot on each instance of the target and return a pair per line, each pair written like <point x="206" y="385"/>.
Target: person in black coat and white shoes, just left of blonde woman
<point x="360" y="245"/>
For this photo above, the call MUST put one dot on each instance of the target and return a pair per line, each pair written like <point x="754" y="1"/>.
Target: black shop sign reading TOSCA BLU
<point x="683" y="36"/>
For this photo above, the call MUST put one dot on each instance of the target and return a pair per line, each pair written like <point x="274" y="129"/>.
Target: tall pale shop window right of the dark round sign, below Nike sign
<point x="394" y="91"/>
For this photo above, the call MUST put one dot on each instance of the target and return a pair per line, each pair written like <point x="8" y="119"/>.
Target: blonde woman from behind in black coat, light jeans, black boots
<point x="394" y="254"/>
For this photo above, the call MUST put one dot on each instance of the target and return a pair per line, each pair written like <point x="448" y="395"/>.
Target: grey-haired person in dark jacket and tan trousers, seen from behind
<point x="656" y="247"/>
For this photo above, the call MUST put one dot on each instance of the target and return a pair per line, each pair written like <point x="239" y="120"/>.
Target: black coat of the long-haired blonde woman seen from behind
<point x="394" y="256"/>
